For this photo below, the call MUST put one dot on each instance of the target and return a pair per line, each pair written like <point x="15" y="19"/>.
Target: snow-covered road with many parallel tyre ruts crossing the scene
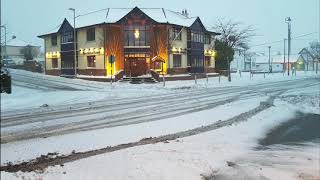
<point x="103" y="114"/>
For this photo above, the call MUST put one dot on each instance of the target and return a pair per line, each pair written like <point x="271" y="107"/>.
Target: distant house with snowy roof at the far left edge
<point x="14" y="51"/>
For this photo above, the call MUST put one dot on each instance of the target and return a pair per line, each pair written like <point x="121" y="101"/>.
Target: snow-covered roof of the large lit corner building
<point x="112" y="15"/>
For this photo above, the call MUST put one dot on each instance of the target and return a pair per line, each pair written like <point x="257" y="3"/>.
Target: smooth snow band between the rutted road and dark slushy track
<point x="65" y="144"/>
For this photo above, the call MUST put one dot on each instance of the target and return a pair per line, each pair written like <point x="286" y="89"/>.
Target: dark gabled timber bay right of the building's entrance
<point x="196" y="47"/>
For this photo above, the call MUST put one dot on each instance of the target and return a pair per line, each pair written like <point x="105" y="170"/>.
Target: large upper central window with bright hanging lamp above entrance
<point x="136" y="35"/>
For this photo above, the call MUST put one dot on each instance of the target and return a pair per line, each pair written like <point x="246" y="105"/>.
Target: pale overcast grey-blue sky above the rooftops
<point x="28" y="18"/>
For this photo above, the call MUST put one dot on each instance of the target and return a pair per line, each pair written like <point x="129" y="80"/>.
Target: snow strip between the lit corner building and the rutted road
<point x="23" y="97"/>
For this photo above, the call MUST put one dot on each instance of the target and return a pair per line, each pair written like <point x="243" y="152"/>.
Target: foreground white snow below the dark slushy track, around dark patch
<point x="206" y="153"/>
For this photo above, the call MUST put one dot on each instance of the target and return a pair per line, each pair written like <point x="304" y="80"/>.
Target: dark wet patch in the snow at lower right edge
<point x="303" y="128"/>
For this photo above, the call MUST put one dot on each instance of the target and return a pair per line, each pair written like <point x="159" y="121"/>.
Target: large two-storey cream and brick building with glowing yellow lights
<point x="142" y="40"/>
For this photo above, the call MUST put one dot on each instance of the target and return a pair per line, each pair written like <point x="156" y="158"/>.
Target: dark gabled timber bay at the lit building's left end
<point x="67" y="48"/>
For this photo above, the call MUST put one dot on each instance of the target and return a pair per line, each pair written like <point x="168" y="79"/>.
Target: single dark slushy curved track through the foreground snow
<point x="43" y="162"/>
